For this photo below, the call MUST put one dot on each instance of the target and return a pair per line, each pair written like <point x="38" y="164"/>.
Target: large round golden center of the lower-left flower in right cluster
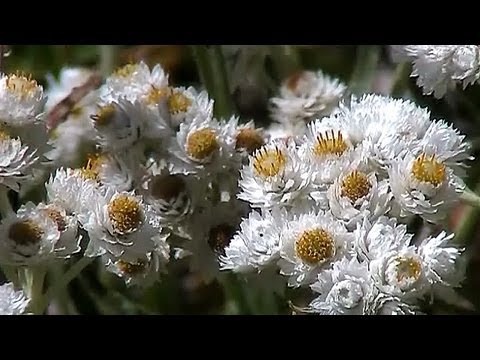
<point x="315" y="246"/>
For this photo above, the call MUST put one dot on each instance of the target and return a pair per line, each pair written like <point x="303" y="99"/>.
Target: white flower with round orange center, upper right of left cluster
<point x="199" y="147"/>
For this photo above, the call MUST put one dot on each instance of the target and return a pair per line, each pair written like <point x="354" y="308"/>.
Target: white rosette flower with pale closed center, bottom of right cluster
<point x="343" y="290"/>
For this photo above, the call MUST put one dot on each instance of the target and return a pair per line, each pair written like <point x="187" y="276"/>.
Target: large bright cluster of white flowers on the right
<point x="330" y="207"/>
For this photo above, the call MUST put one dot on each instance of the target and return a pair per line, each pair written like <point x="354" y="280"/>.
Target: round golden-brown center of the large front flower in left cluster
<point x="125" y="214"/>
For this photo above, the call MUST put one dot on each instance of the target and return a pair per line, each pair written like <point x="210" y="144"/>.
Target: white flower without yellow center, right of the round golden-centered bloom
<point x="374" y="239"/>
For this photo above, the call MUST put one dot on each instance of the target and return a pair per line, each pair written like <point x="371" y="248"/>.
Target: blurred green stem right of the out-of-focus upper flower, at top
<point x="364" y="72"/>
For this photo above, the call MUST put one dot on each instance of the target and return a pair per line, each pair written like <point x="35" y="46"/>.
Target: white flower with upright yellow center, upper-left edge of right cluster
<point x="275" y="177"/>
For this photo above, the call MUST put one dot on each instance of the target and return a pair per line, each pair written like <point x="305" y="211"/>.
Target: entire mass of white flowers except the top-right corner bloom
<point x="140" y="173"/>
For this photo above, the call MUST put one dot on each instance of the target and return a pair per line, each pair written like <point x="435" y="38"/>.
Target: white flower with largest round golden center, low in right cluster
<point x="310" y="243"/>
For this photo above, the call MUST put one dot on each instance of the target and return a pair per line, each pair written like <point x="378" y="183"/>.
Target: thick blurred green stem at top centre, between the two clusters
<point x="213" y="74"/>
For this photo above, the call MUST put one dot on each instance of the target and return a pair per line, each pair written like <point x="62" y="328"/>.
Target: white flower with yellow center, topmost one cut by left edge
<point x="21" y="100"/>
